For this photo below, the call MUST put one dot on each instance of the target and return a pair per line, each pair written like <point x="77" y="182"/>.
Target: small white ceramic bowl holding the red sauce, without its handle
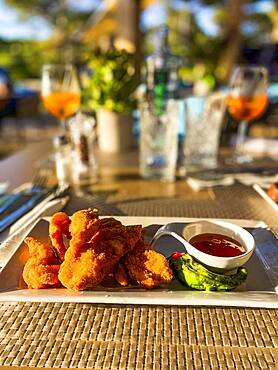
<point x="218" y="264"/>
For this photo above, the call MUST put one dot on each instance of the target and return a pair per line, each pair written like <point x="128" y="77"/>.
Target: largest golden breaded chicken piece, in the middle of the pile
<point x="95" y="248"/>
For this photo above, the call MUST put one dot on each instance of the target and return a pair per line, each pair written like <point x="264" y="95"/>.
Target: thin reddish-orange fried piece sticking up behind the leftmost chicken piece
<point x="59" y="227"/>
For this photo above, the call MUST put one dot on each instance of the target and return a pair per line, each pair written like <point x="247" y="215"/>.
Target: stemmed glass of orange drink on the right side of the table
<point x="247" y="99"/>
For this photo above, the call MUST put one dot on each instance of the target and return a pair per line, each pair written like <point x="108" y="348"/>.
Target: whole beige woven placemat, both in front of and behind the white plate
<point x="148" y="337"/>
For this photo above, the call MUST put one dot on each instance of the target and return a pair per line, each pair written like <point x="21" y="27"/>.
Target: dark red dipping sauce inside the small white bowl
<point x="217" y="245"/>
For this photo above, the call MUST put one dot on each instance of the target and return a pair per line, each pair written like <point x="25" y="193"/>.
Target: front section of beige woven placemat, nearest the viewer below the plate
<point x="131" y="337"/>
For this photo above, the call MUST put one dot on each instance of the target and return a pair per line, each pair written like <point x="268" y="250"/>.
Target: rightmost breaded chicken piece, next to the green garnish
<point x="148" y="267"/>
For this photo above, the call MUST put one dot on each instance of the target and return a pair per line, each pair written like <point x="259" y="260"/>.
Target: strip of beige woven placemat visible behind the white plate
<point x="237" y="201"/>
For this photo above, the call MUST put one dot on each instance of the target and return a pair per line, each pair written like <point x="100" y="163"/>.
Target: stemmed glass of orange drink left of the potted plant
<point x="60" y="91"/>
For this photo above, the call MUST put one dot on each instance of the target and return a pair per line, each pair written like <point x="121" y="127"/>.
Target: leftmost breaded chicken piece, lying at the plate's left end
<point x="42" y="267"/>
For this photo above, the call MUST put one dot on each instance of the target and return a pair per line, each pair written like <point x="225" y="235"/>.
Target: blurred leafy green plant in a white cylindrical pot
<point x="110" y="94"/>
